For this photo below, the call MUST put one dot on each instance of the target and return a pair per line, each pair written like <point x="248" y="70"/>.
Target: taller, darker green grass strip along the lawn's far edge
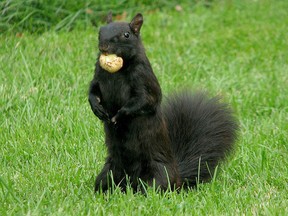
<point x="39" y="16"/>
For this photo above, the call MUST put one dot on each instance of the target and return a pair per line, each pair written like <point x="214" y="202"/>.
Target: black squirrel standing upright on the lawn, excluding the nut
<point x="175" y="145"/>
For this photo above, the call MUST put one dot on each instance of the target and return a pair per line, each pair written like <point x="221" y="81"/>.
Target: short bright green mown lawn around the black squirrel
<point x="52" y="146"/>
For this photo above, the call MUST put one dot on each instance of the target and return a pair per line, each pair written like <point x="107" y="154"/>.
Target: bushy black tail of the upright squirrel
<point x="202" y="133"/>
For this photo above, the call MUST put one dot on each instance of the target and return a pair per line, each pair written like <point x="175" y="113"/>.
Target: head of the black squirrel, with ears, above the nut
<point x="121" y="38"/>
